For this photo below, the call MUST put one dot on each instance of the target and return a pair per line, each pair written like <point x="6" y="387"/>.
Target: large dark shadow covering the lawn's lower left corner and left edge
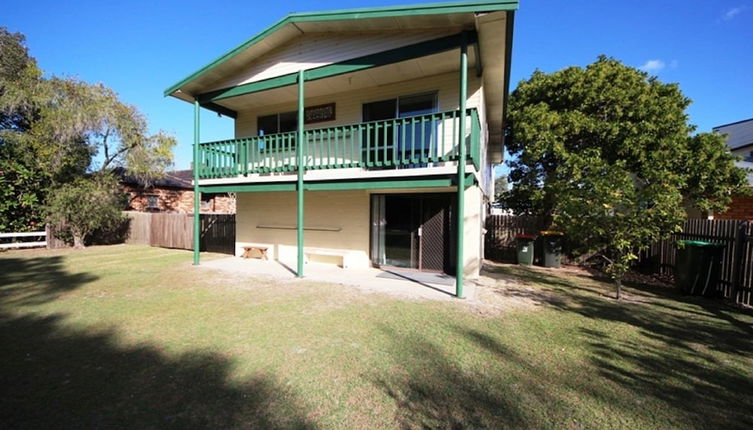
<point x="55" y="375"/>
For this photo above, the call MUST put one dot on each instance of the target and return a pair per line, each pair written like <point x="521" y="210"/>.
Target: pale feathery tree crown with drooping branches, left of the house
<point x="85" y="125"/>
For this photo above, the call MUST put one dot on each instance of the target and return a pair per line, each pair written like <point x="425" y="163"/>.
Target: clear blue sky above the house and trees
<point x="139" y="48"/>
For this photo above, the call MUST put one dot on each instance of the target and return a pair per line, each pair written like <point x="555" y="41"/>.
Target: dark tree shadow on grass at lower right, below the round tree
<point x="693" y="354"/>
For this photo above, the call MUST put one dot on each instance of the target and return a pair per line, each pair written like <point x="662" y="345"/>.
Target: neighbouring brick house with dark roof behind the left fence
<point x="172" y="193"/>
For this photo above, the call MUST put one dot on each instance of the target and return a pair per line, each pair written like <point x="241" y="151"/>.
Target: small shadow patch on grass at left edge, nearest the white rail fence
<point x="34" y="281"/>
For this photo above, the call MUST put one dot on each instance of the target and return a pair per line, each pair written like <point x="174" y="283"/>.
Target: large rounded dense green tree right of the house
<point x="607" y="153"/>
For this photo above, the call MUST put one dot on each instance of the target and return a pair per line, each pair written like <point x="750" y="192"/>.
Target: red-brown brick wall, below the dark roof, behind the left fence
<point x="176" y="200"/>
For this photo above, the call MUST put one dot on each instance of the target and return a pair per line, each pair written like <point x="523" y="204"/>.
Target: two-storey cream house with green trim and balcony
<point x="364" y="137"/>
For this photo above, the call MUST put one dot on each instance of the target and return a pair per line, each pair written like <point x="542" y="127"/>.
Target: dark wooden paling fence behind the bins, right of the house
<point x="736" y="274"/>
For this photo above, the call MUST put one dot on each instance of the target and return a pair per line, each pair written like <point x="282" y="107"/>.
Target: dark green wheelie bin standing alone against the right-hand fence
<point x="697" y="267"/>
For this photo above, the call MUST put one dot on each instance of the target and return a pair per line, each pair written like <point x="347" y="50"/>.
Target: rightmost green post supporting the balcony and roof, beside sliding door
<point x="460" y="222"/>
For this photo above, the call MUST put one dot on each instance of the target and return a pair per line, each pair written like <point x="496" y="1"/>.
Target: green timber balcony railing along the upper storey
<point x="409" y="142"/>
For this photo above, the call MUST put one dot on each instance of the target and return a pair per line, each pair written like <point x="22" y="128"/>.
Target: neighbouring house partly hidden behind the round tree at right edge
<point x="740" y="142"/>
